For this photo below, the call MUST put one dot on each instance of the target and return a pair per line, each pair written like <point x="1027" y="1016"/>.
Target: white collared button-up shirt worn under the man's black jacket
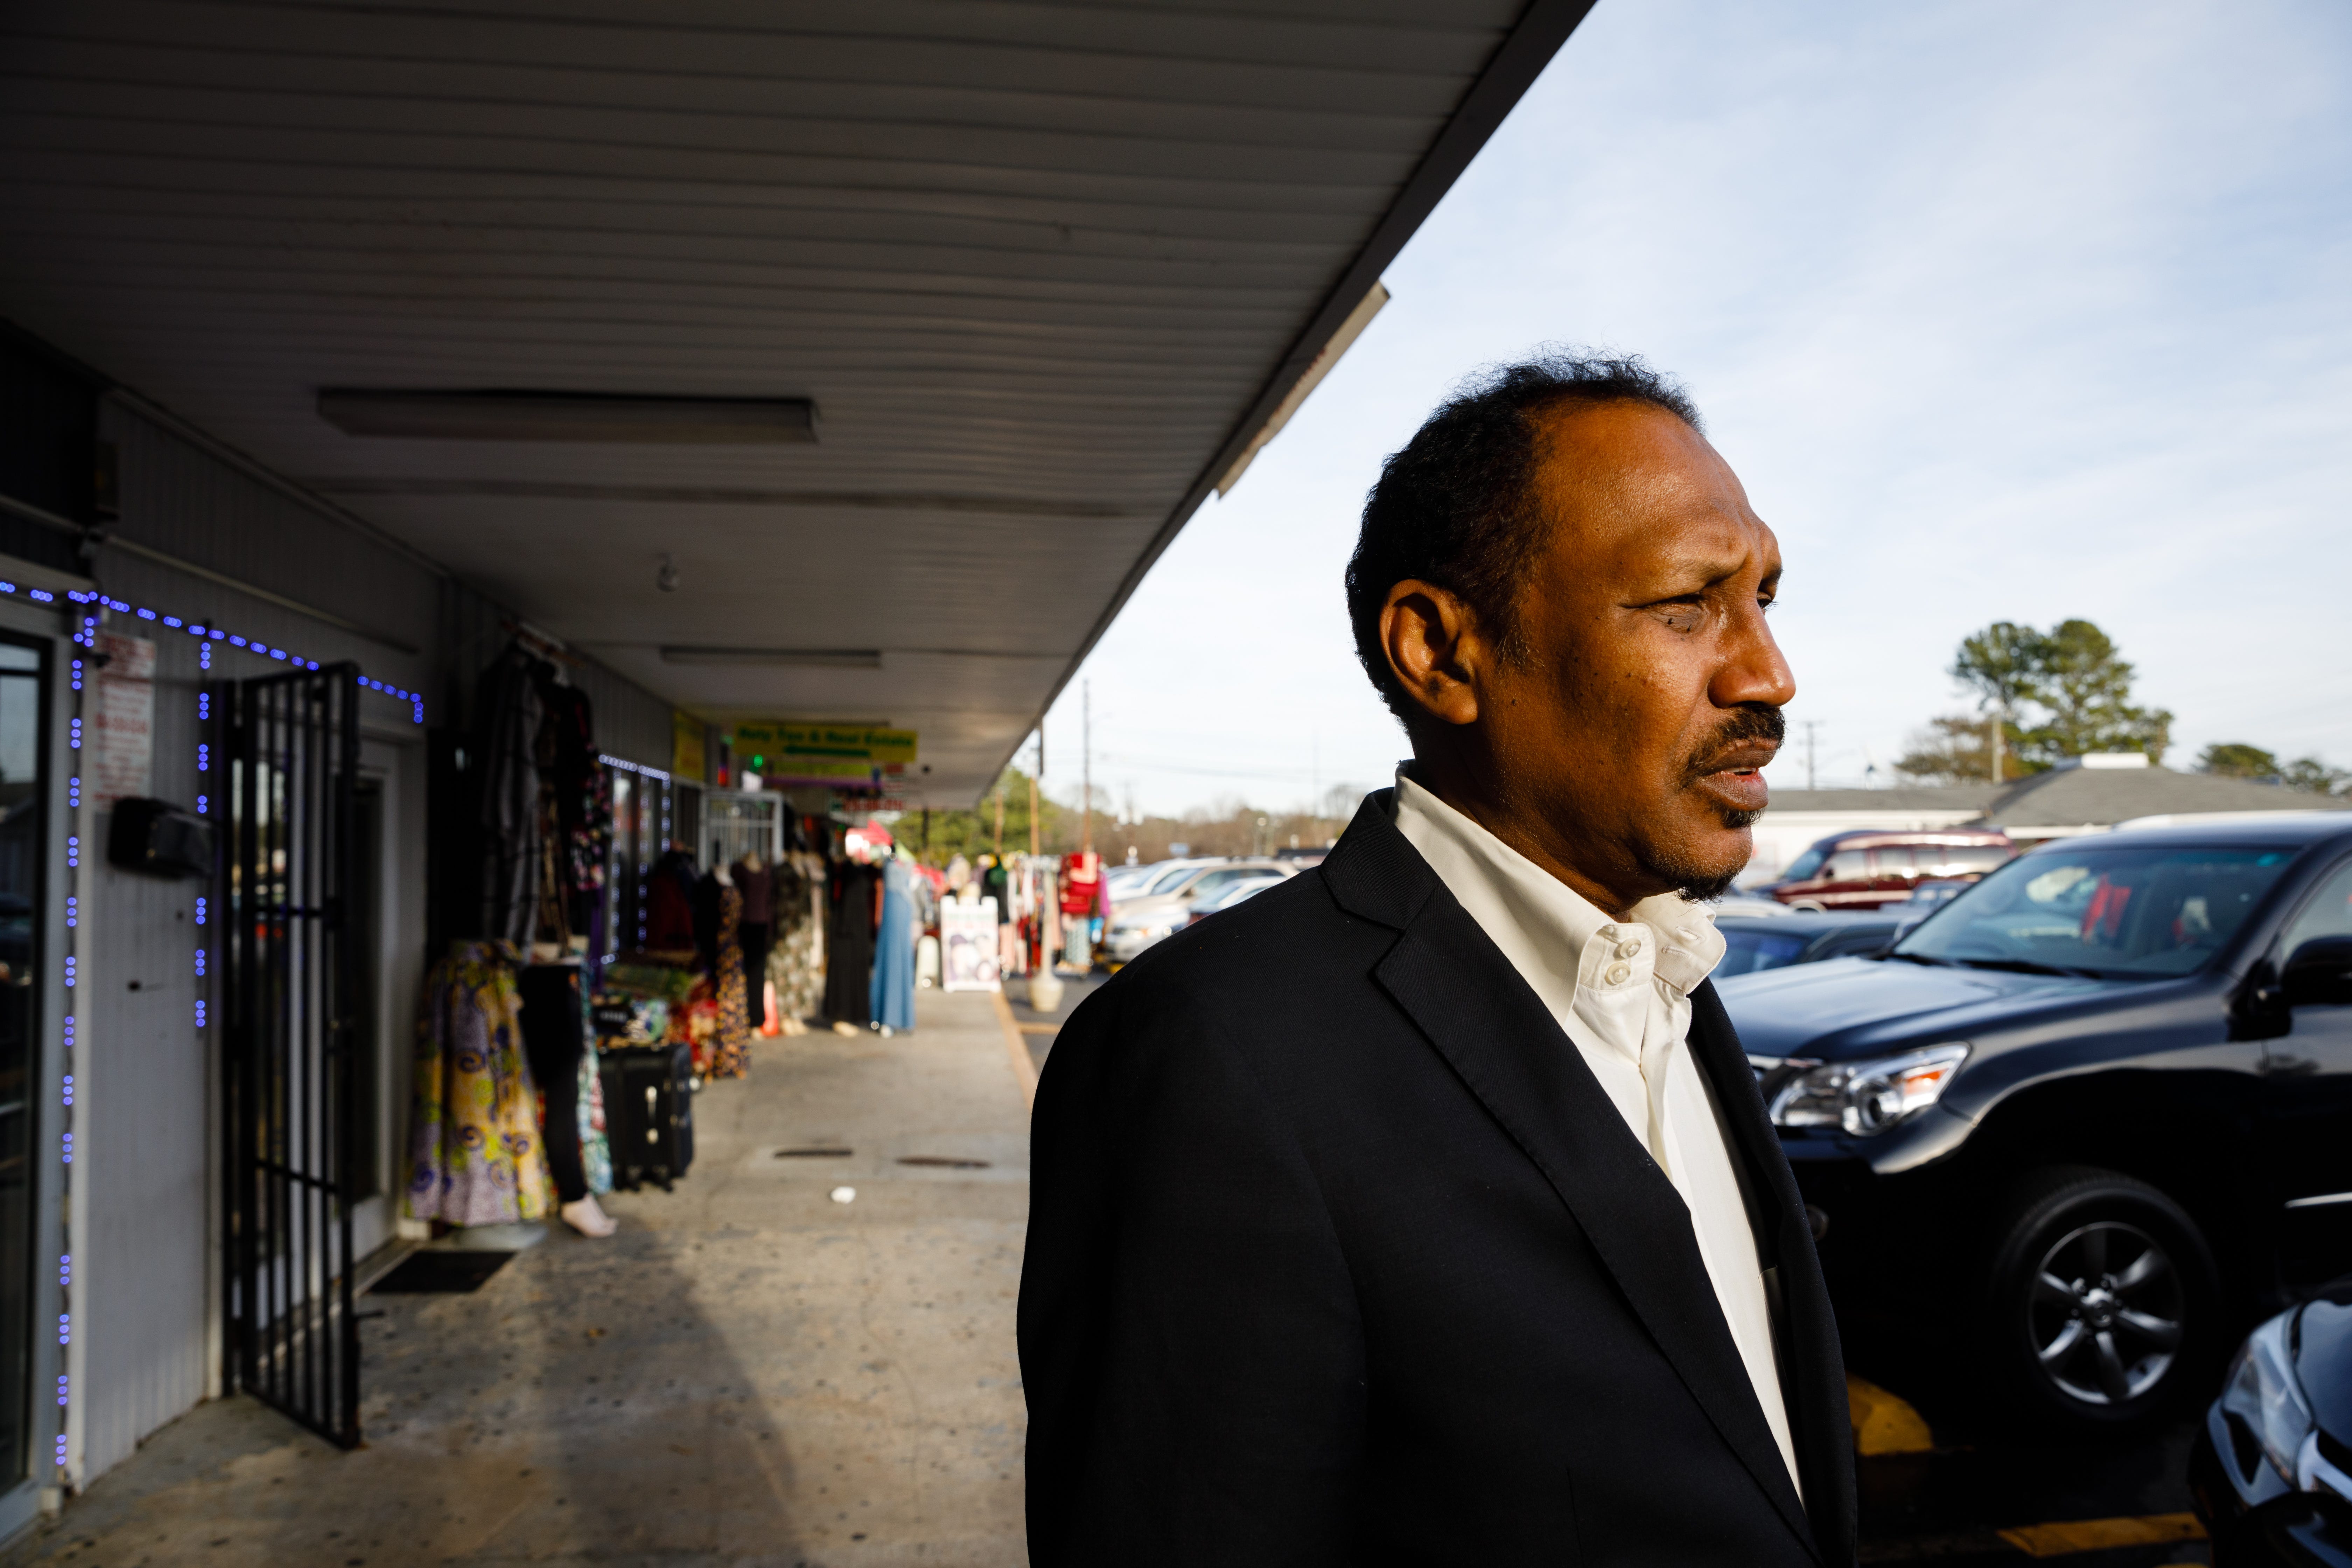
<point x="1622" y="993"/>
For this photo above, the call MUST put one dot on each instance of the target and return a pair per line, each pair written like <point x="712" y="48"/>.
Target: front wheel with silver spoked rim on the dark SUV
<point x="2099" y="1299"/>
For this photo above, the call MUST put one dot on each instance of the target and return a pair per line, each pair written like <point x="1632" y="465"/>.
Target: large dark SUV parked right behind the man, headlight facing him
<point x="2087" y="1115"/>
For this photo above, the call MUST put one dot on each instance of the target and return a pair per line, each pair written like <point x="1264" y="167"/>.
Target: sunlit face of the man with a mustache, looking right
<point x="1629" y="730"/>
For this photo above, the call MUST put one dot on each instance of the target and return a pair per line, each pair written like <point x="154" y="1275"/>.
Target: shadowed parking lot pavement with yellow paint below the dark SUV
<point x="1979" y="1496"/>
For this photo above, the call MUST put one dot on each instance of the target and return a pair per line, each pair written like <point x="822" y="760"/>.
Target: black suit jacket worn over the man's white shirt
<point x="1342" y="1257"/>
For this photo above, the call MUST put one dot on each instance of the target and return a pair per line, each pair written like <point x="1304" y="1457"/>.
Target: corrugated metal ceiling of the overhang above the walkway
<point x="1041" y="267"/>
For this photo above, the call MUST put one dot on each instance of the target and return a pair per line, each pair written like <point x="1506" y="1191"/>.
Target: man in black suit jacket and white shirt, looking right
<point x="1424" y="1209"/>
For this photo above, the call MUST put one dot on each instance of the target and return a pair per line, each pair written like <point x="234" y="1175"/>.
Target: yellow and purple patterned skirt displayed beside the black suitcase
<point x="474" y="1151"/>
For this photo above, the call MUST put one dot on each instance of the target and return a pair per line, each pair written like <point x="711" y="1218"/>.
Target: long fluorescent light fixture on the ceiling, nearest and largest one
<point x="570" y="417"/>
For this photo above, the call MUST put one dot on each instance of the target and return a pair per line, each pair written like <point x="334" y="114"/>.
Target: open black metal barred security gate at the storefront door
<point x="290" y="981"/>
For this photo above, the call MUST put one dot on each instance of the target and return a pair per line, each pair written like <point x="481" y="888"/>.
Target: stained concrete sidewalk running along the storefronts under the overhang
<point x="749" y="1374"/>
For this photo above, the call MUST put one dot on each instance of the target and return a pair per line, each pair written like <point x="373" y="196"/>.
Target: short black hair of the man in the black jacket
<point x="1459" y="504"/>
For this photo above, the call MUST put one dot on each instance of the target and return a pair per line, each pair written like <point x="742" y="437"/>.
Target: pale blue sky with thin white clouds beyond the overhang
<point x="2000" y="311"/>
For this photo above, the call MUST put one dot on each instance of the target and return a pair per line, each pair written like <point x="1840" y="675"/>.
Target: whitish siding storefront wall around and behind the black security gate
<point x="145" y="1184"/>
